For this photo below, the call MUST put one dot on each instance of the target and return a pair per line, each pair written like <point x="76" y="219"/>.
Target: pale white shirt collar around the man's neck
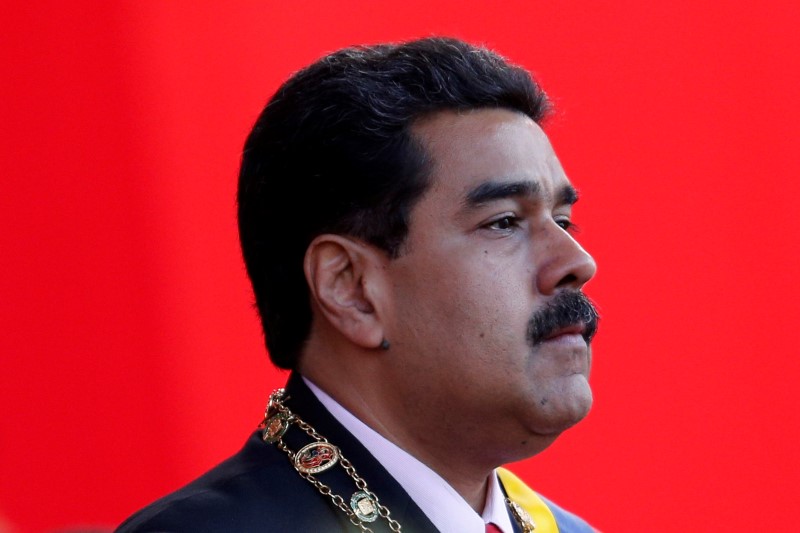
<point x="448" y="511"/>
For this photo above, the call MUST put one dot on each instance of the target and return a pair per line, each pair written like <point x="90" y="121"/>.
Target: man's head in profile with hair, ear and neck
<point x="408" y="193"/>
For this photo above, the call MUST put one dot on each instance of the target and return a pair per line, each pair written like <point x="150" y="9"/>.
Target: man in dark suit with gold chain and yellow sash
<point x="407" y="230"/>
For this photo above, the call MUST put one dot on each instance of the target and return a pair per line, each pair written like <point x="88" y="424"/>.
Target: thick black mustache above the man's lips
<point x="566" y="309"/>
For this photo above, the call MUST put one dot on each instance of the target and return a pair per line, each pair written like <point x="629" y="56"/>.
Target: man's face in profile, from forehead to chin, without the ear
<point x="489" y="247"/>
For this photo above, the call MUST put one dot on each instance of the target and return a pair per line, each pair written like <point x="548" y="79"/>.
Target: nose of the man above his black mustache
<point x="563" y="264"/>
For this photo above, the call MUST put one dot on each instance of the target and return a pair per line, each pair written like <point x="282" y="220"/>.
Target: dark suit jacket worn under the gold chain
<point x="259" y="490"/>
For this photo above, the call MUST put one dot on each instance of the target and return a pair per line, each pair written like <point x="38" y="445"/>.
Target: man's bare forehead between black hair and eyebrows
<point x="471" y="148"/>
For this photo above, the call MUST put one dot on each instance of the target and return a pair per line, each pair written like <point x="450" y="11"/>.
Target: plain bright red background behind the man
<point x="131" y="356"/>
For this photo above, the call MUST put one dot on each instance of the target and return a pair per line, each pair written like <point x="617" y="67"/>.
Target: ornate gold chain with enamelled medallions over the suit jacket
<point x="321" y="455"/>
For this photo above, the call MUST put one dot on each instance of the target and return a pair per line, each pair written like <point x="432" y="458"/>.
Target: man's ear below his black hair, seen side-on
<point x="345" y="276"/>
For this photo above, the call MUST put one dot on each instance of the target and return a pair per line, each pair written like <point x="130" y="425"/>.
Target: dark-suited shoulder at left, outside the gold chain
<point x="255" y="490"/>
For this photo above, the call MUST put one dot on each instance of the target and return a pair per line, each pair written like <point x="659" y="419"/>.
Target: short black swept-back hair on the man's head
<point x="333" y="152"/>
